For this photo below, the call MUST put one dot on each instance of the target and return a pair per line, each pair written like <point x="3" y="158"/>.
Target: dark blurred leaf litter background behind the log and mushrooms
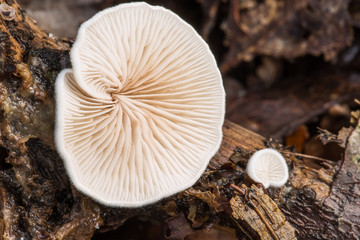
<point x="290" y="69"/>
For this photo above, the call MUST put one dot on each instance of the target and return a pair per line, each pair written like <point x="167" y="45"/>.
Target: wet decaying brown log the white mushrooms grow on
<point x="39" y="202"/>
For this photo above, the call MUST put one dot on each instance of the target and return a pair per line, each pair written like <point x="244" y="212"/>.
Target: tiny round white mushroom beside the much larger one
<point x="268" y="167"/>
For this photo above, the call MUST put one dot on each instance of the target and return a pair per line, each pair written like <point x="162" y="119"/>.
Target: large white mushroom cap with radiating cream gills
<point x="140" y="115"/>
